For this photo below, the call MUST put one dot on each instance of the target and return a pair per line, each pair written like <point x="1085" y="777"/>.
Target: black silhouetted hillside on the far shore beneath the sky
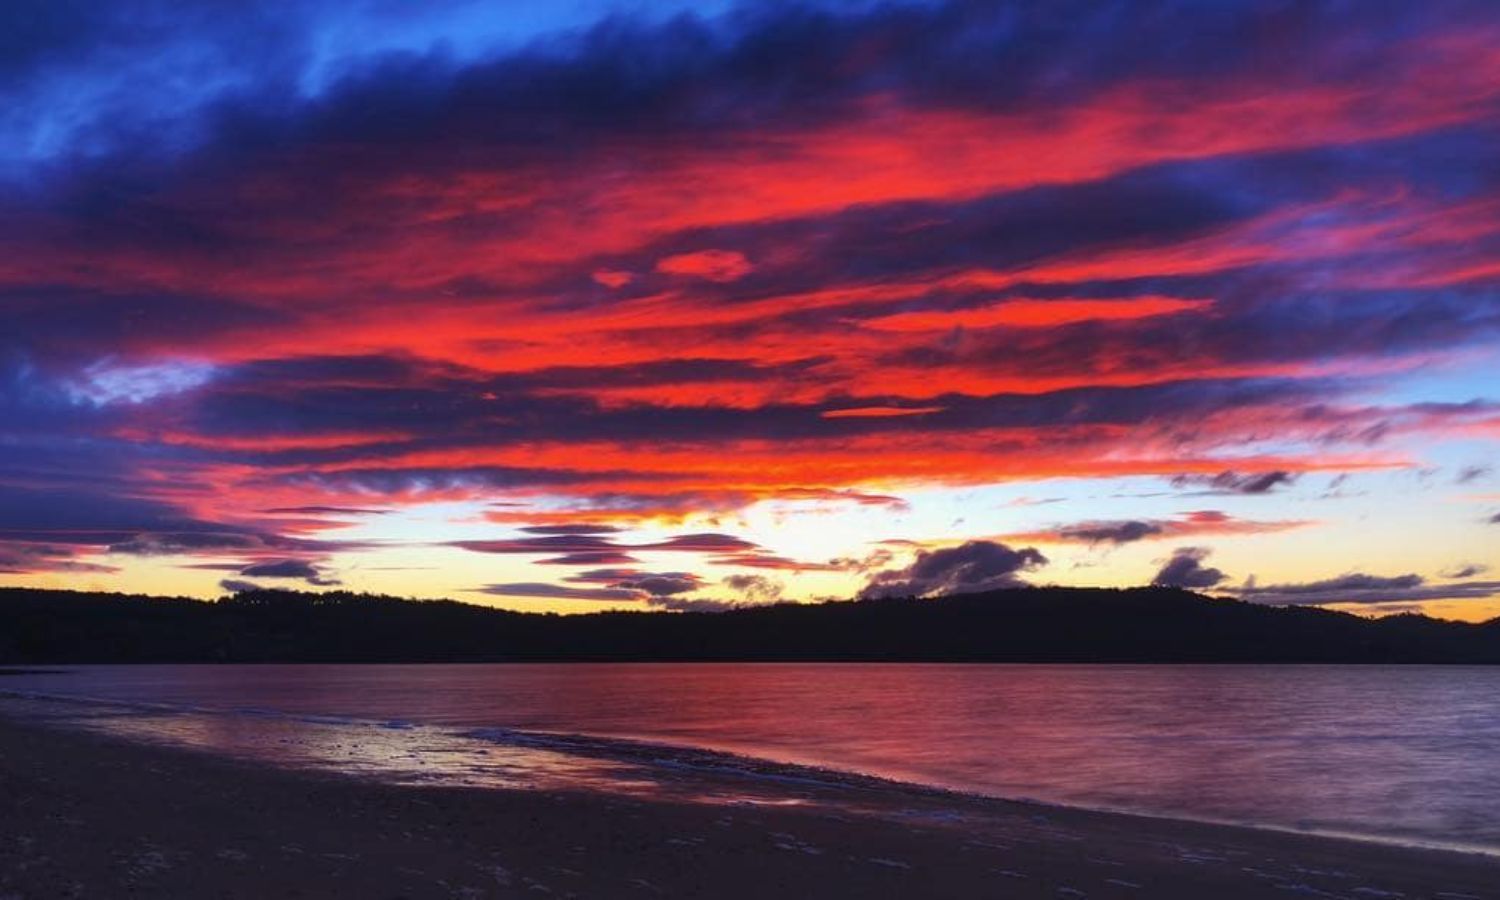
<point x="1040" y="625"/>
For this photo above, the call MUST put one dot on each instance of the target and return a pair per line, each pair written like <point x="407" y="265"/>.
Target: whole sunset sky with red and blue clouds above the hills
<point x="608" y="305"/>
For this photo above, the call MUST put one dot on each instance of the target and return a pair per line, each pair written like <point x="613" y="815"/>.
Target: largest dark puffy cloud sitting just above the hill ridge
<point x="971" y="568"/>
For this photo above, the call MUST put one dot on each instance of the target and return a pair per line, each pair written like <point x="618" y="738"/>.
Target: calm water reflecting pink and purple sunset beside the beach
<point x="1405" y="754"/>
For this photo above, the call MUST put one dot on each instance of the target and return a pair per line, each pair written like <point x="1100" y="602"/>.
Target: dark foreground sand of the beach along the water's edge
<point x="92" y="817"/>
